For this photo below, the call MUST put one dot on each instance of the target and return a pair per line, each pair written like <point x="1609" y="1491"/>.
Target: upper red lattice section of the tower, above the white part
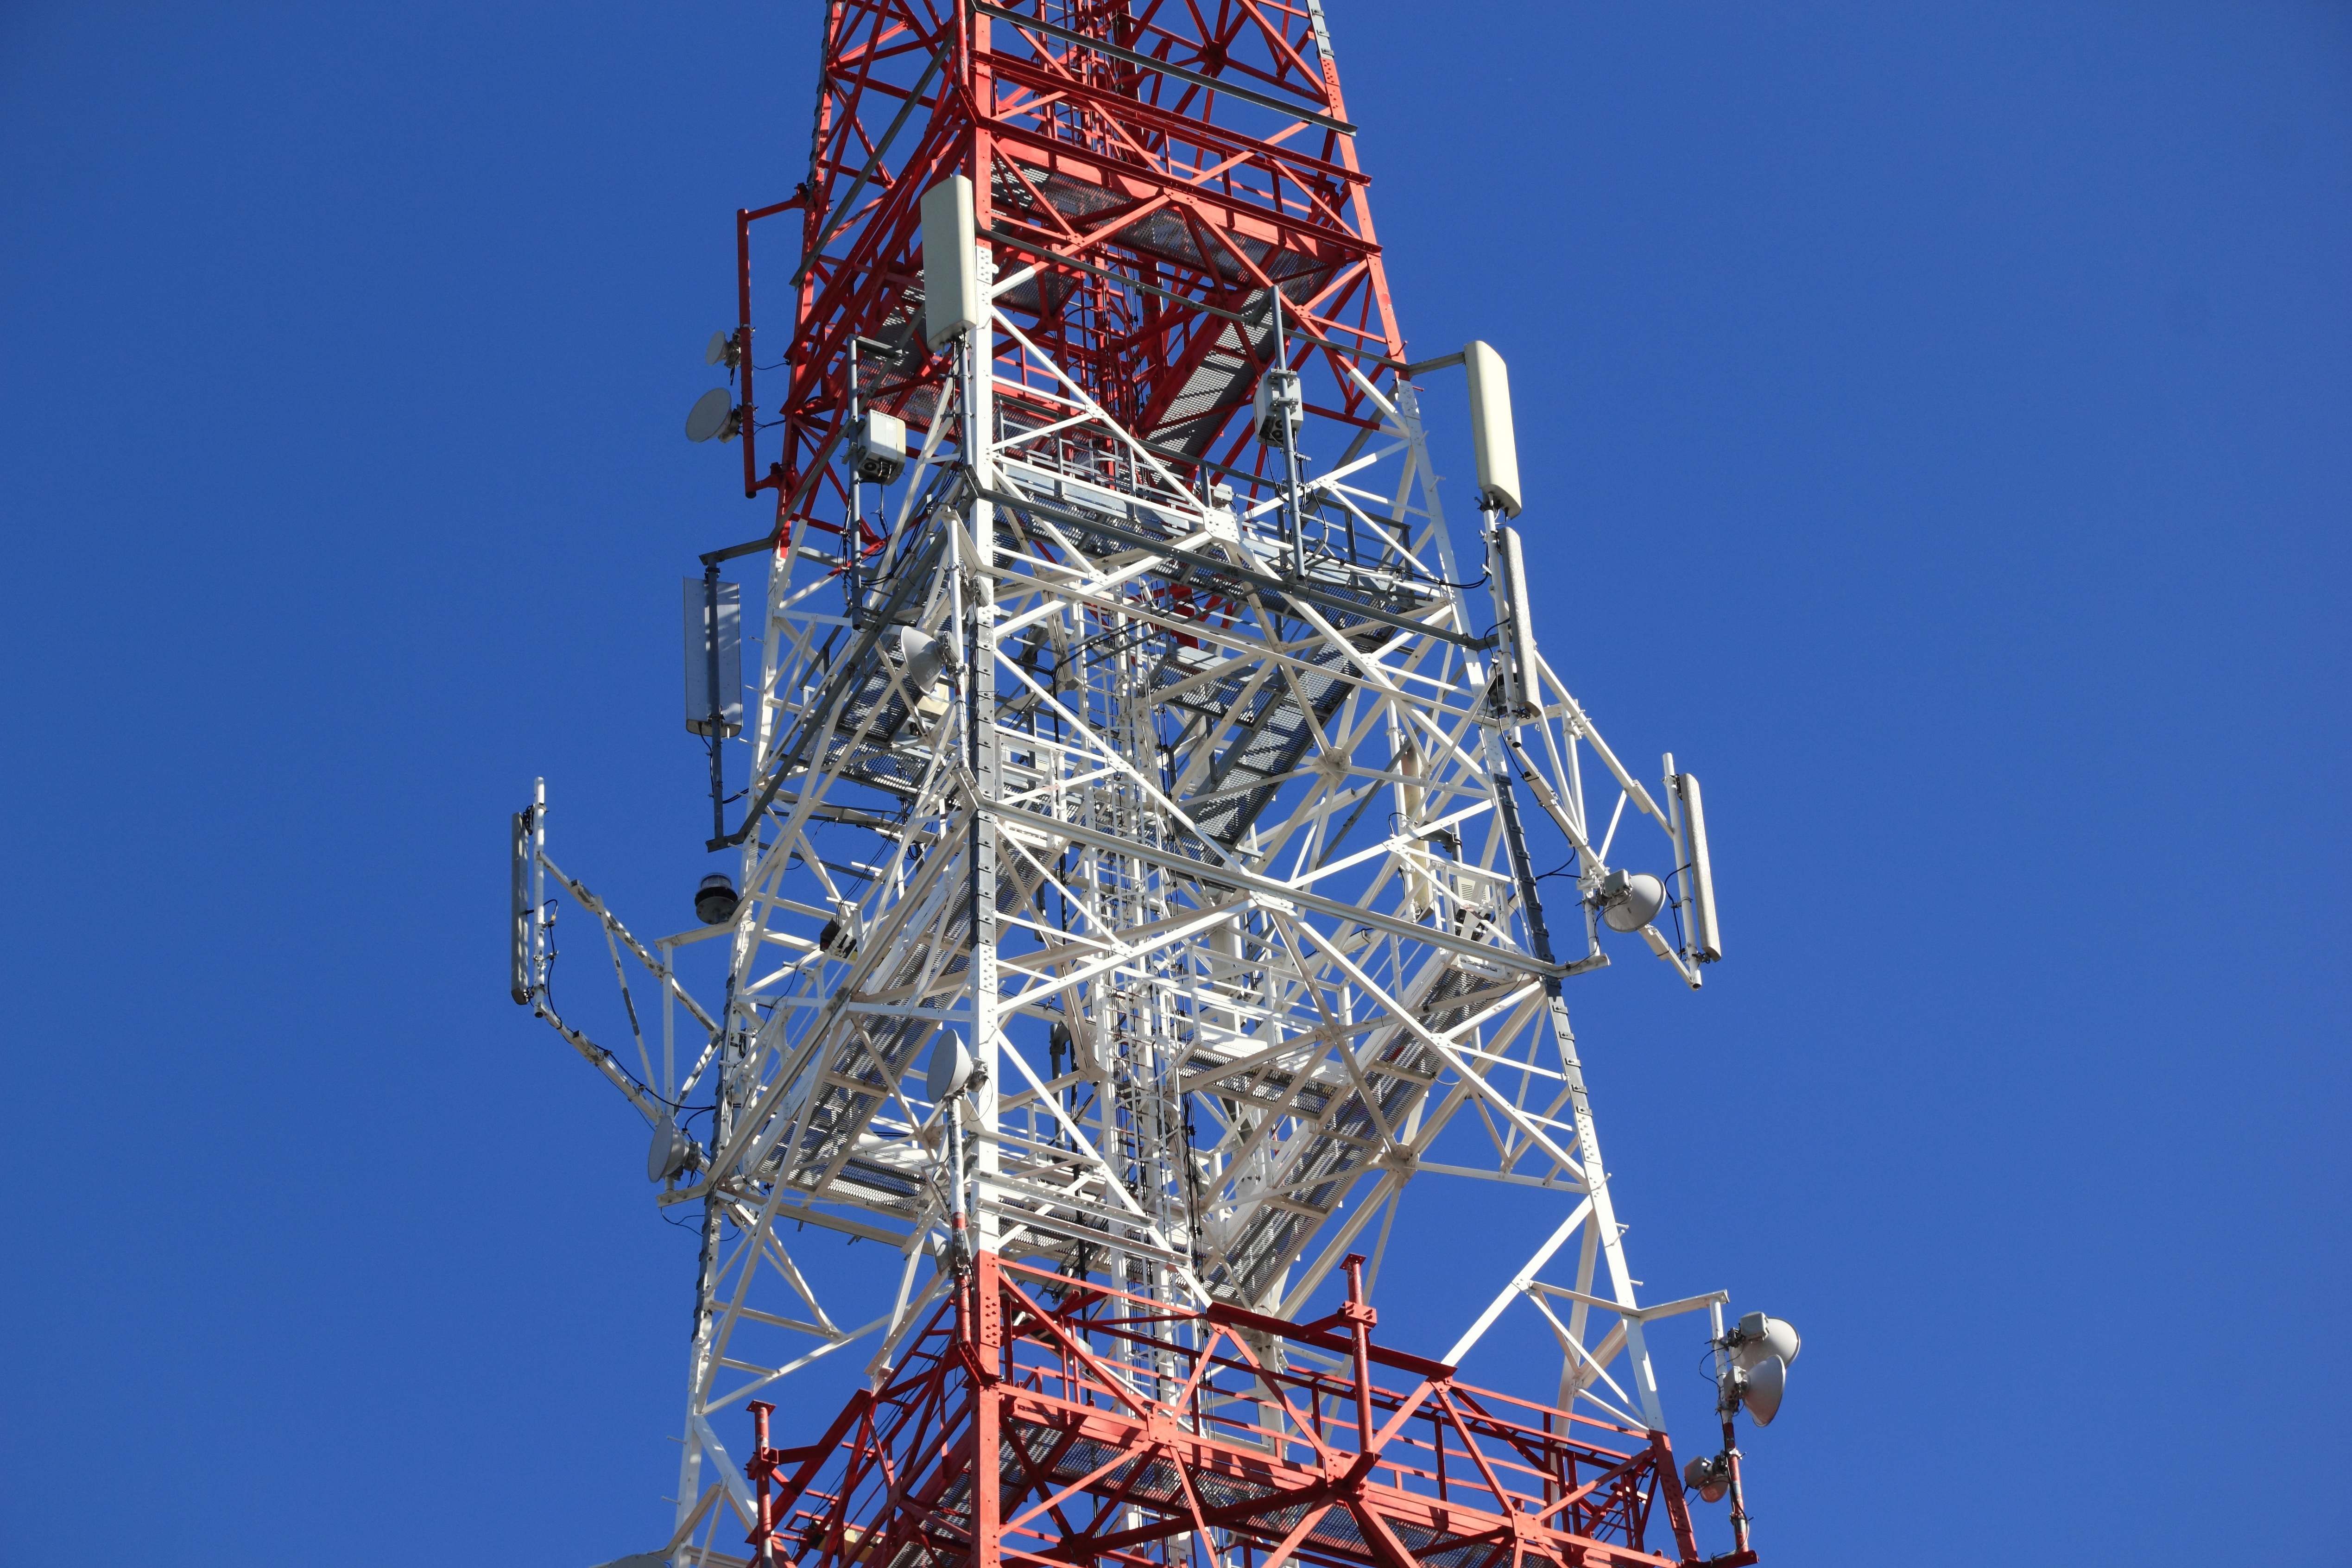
<point x="1140" y="161"/>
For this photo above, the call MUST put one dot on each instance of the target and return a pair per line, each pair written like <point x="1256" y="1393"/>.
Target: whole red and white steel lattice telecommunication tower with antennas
<point x="1130" y="859"/>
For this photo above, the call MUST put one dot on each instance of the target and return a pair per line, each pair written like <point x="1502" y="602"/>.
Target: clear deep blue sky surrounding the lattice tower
<point x="1944" y="450"/>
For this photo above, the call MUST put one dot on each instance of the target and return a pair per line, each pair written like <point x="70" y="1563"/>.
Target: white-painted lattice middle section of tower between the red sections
<point x="1220" y="866"/>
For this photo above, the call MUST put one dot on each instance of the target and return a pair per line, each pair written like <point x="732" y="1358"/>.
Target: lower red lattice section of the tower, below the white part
<point x="1053" y="1423"/>
